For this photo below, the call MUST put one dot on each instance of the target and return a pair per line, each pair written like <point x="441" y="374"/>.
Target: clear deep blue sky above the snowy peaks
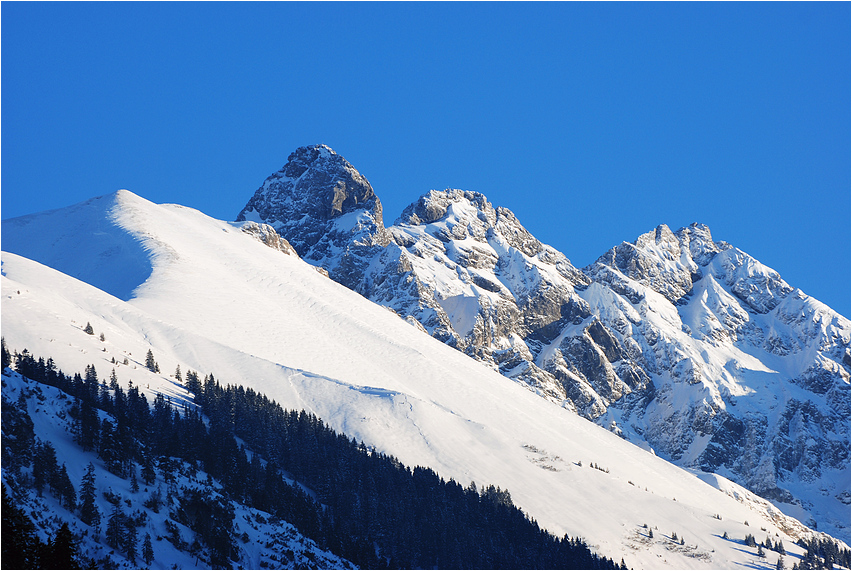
<point x="593" y="122"/>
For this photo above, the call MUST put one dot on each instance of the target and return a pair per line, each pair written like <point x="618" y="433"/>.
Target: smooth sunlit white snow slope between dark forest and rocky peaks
<point x="219" y="300"/>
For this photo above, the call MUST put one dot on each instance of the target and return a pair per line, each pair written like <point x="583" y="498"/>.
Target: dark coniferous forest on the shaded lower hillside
<point x="357" y="503"/>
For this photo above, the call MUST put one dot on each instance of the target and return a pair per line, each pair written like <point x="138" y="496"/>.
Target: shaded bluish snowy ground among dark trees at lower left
<point x="265" y="541"/>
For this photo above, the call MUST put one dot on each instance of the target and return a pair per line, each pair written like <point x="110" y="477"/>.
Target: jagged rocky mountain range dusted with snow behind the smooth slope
<point x="679" y="343"/>
